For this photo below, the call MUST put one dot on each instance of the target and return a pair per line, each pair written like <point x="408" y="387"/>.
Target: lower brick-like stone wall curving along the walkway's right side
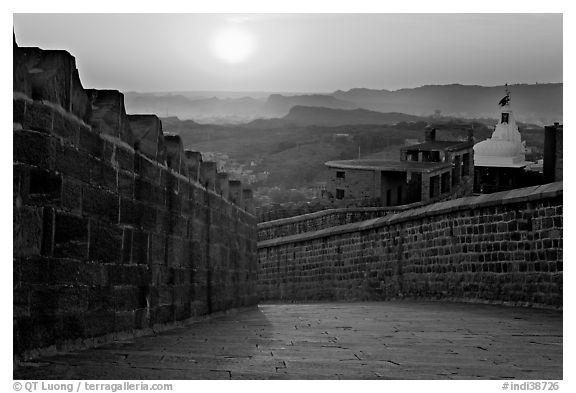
<point x="503" y="248"/>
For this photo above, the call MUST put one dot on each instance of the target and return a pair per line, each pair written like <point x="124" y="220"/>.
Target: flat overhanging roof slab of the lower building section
<point x="388" y="166"/>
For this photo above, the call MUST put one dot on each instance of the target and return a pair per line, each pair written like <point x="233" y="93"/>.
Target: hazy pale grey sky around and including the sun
<point x="300" y="52"/>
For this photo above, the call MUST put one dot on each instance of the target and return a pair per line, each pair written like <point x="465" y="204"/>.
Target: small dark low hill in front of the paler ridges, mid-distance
<point x="304" y="115"/>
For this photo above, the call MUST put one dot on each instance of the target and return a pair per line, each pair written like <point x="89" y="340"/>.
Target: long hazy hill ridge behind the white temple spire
<point x="538" y="103"/>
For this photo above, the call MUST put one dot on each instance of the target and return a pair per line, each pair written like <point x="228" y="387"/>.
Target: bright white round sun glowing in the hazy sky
<point x="233" y="45"/>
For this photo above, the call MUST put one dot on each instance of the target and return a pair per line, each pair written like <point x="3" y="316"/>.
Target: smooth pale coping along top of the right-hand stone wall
<point x="521" y="195"/>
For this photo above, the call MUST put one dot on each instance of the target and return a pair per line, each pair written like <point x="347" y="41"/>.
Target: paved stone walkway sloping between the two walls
<point x="384" y="340"/>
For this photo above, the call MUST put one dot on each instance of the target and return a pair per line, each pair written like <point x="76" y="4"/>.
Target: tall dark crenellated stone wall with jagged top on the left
<point x="110" y="239"/>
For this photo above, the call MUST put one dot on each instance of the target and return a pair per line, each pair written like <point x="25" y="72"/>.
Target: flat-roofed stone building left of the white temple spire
<point x="426" y="171"/>
